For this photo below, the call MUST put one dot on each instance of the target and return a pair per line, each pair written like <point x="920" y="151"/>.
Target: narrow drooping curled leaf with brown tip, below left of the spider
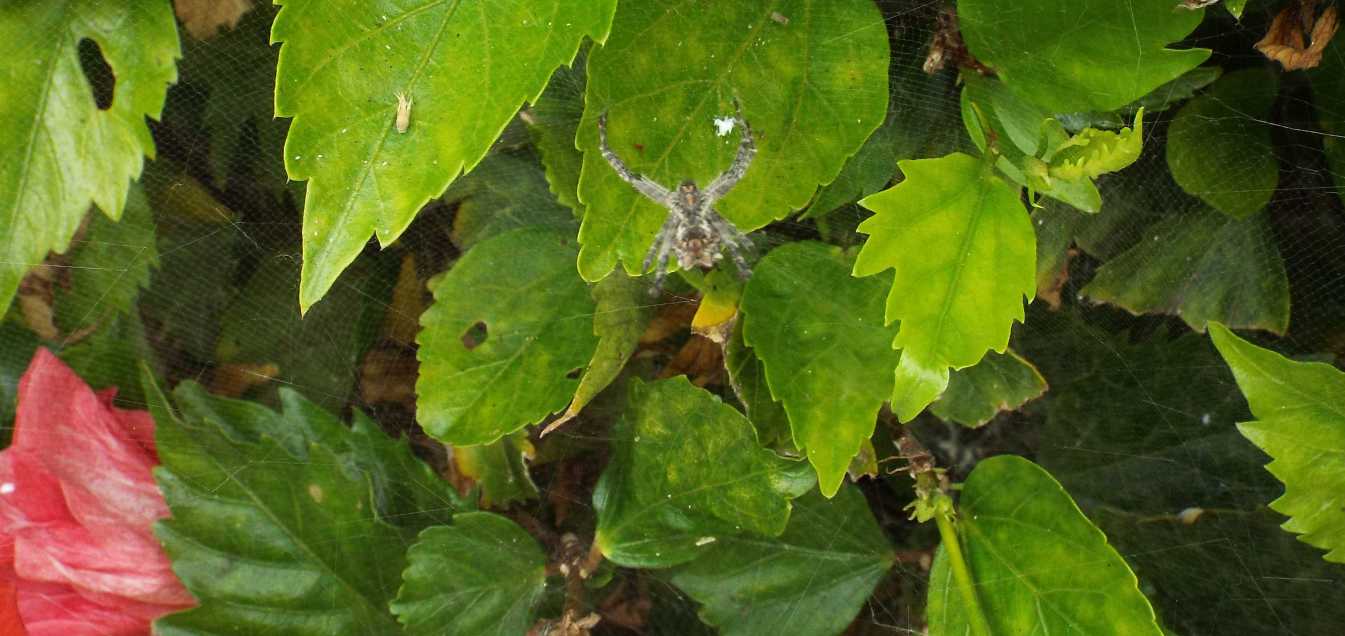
<point x="622" y="314"/>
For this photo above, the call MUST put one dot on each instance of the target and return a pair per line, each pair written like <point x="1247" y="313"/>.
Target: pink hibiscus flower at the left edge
<point x="77" y="509"/>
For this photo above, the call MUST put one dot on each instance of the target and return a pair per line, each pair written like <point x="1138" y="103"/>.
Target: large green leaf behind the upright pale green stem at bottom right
<point x="1038" y="564"/>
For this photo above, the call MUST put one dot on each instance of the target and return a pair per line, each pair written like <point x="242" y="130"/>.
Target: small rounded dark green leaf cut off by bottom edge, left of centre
<point x="481" y="576"/>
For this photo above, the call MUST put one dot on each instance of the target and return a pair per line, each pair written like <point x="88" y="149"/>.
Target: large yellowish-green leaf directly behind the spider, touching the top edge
<point x="813" y="89"/>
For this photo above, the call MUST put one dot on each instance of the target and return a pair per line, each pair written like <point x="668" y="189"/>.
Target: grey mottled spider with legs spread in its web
<point x="693" y="231"/>
